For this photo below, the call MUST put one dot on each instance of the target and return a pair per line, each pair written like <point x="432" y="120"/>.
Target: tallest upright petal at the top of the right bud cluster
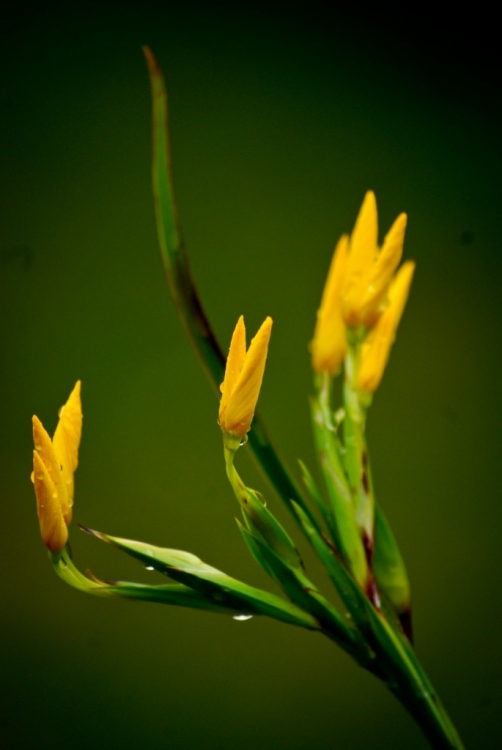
<point x="363" y="250"/>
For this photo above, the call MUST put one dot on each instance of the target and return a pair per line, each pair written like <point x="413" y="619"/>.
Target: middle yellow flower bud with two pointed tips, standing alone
<point x="243" y="377"/>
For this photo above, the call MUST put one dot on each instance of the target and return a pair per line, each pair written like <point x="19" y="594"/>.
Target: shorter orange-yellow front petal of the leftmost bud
<point x="52" y="524"/>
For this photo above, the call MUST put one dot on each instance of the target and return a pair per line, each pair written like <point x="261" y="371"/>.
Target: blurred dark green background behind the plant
<point x="281" y="120"/>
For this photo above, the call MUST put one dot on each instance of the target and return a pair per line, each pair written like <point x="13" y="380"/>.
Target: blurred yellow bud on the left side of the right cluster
<point x="329" y="344"/>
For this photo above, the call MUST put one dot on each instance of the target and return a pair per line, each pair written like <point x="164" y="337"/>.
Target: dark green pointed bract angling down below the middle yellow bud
<point x="303" y="592"/>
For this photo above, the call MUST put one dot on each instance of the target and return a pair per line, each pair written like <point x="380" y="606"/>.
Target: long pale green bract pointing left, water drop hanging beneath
<point x="211" y="583"/>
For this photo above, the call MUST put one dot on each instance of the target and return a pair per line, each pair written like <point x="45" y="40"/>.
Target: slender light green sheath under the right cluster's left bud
<point x="344" y="528"/>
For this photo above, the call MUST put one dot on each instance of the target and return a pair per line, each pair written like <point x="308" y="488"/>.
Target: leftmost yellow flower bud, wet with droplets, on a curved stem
<point x="54" y="463"/>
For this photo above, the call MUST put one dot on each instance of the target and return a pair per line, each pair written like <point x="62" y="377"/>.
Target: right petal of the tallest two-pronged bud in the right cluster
<point x="382" y="271"/>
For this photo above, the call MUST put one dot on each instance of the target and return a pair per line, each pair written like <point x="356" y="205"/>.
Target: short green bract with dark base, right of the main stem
<point x="390" y="571"/>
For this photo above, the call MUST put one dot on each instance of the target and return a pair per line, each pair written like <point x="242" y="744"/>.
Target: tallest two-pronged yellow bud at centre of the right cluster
<point x="369" y="270"/>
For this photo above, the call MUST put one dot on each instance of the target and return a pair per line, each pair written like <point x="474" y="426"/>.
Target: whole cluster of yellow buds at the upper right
<point x="363" y="291"/>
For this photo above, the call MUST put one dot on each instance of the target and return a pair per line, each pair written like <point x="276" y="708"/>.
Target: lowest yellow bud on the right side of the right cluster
<point x="376" y="348"/>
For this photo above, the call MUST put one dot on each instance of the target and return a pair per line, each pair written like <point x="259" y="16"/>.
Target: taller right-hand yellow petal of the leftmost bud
<point x="66" y="439"/>
